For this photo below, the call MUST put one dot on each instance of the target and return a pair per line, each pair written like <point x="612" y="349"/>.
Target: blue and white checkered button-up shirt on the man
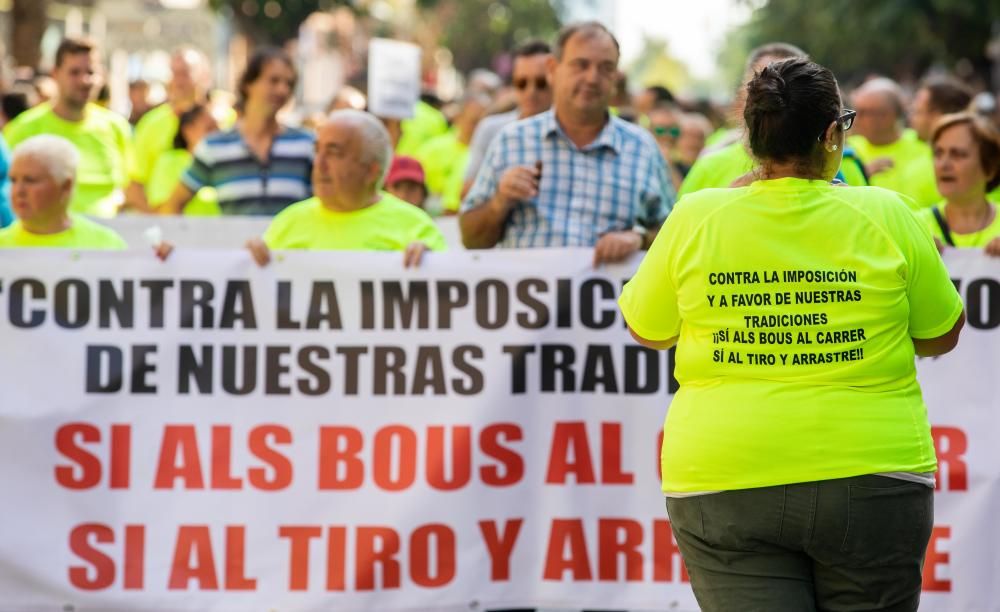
<point x="614" y="183"/>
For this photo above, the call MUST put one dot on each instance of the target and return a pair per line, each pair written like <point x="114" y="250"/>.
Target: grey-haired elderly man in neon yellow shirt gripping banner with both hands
<point x="348" y="211"/>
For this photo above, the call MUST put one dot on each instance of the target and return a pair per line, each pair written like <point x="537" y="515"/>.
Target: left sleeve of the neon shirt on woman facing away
<point x="649" y="300"/>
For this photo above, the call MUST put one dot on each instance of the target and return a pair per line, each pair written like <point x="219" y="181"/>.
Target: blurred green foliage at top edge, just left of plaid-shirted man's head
<point x="477" y="31"/>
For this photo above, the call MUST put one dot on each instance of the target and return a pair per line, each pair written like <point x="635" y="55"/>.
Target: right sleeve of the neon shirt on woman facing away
<point x="935" y="304"/>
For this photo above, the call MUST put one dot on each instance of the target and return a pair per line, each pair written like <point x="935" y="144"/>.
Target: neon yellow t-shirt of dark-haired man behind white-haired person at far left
<point x="104" y="140"/>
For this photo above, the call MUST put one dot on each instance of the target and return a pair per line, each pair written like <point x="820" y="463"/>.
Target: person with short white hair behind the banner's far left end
<point x="42" y="176"/>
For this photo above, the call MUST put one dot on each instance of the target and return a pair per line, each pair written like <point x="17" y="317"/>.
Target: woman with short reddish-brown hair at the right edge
<point x="966" y="167"/>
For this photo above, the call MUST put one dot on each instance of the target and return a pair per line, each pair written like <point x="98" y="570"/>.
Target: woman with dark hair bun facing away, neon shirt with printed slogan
<point x="797" y="457"/>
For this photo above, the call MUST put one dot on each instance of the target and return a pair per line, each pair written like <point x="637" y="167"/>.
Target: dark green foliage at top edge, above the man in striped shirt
<point x="271" y="21"/>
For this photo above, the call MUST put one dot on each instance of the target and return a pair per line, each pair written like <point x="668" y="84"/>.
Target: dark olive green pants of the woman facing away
<point x="848" y="544"/>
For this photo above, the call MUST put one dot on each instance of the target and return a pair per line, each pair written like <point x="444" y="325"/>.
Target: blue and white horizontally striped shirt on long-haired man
<point x="246" y="185"/>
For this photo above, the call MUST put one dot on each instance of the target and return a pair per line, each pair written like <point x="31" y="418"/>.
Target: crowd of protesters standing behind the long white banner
<point x="559" y="154"/>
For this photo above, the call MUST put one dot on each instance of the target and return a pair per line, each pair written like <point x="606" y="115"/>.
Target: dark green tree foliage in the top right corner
<point x="899" y="38"/>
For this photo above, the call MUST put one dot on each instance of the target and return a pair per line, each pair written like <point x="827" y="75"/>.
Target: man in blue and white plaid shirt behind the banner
<point x="574" y="175"/>
